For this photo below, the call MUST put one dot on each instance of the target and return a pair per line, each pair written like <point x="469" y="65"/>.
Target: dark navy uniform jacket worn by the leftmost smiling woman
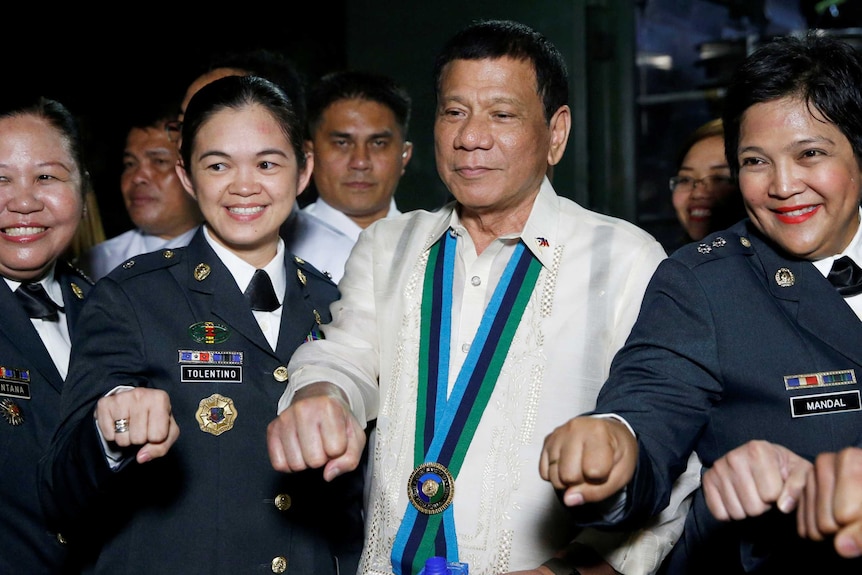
<point x="30" y="387"/>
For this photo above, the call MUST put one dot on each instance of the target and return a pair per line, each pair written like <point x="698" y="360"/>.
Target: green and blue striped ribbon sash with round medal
<point x="445" y="427"/>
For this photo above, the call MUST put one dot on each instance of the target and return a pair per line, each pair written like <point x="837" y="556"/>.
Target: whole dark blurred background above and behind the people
<point x="643" y="73"/>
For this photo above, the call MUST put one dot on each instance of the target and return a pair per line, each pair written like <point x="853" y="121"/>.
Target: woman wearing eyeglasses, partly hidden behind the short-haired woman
<point x="705" y="196"/>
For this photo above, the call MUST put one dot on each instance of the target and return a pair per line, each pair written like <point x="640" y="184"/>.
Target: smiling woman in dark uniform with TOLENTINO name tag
<point x="195" y="340"/>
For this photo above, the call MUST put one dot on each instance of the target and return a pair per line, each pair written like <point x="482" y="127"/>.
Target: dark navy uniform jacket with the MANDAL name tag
<point x="736" y="342"/>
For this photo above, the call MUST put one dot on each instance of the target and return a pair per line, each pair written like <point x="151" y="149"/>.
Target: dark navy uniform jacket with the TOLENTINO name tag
<point x="176" y="320"/>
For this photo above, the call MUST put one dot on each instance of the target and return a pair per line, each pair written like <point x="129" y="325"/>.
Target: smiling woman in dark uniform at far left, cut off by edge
<point x="42" y="183"/>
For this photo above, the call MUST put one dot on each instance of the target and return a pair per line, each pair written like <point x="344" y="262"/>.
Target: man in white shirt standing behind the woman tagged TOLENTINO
<point x="357" y="124"/>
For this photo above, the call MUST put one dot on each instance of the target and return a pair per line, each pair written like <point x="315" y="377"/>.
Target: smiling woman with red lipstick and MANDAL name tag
<point x="748" y="347"/>
